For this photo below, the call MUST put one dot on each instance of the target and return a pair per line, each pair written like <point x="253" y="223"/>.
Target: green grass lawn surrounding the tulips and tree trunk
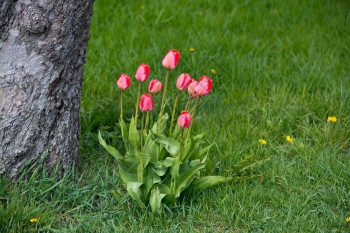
<point x="282" y="67"/>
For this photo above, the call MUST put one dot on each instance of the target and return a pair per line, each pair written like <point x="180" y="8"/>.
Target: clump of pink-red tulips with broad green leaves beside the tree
<point x="158" y="165"/>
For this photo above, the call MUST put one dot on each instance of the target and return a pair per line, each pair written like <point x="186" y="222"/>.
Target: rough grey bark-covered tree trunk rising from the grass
<point x="42" y="52"/>
